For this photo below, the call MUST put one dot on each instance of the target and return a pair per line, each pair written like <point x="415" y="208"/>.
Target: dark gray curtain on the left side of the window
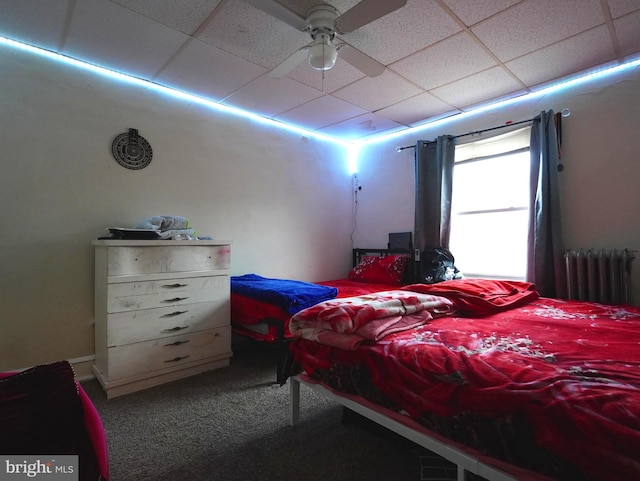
<point x="434" y="177"/>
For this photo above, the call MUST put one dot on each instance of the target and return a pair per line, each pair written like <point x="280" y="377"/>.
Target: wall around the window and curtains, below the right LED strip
<point x="599" y="185"/>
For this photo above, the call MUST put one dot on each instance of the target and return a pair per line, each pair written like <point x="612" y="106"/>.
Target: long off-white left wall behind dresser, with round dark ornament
<point x="283" y="199"/>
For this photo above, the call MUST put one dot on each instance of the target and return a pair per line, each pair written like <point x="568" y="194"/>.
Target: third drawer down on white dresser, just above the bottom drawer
<point x="128" y="327"/>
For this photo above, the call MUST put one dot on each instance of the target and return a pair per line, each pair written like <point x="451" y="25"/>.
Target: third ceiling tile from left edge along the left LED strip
<point x="208" y="71"/>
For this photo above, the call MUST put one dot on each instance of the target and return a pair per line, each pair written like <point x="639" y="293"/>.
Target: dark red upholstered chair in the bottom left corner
<point x="44" y="411"/>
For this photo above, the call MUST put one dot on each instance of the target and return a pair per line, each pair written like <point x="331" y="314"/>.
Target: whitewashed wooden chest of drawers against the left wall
<point x="161" y="311"/>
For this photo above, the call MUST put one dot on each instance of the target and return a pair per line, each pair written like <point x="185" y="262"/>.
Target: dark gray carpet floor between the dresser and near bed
<point x="233" y="424"/>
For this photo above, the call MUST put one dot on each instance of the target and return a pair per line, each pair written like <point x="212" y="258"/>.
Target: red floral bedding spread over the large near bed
<point x="569" y="370"/>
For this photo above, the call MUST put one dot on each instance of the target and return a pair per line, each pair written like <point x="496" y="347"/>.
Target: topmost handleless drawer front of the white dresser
<point x="132" y="260"/>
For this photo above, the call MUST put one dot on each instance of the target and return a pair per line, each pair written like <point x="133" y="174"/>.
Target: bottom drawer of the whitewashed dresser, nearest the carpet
<point x="165" y="354"/>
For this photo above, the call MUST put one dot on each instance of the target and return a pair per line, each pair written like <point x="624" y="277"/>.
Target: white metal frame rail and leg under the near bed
<point x="464" y="461"/>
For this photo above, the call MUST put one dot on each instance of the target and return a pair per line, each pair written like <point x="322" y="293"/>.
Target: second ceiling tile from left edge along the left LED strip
<point x="114" y="37"/>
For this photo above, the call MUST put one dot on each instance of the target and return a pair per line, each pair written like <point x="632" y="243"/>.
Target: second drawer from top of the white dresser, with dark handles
<point x="134" y="296"/>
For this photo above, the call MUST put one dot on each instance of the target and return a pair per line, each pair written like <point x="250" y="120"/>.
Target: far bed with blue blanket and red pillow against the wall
<point x="261" y="306"/>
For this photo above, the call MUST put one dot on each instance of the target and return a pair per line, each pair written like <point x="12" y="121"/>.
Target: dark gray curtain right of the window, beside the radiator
<point x="545" y="246"/>
